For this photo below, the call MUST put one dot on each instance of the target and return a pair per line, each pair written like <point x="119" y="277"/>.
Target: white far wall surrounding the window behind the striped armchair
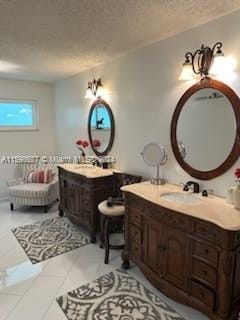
<point x="39" y="142"/>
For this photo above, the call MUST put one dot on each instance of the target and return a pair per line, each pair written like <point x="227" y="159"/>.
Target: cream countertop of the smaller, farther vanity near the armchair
<point x="87" y="170"/>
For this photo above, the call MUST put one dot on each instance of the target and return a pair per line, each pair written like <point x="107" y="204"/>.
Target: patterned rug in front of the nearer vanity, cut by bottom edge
<point x="115" y="296"/>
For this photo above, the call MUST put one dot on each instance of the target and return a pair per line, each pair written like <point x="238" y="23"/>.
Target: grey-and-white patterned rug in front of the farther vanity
<point x="46" y="239"/>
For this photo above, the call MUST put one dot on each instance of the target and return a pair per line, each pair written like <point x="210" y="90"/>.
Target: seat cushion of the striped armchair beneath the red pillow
<point x="29" y="190"/>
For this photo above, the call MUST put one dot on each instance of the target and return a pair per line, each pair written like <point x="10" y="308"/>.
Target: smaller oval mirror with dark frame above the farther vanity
<point x="100" y="127"/>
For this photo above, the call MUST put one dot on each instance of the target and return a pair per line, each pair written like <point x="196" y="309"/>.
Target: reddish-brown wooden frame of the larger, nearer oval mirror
<point x="235" y="152"/>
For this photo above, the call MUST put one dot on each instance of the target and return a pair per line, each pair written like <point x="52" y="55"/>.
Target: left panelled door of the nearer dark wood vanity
<point x="152" y="238"/>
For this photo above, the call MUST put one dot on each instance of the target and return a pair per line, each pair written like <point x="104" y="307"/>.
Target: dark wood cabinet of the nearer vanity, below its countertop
<point x="188" y="259"/>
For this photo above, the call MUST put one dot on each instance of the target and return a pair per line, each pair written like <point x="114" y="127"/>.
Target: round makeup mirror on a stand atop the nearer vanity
<point x="154" y="155"/>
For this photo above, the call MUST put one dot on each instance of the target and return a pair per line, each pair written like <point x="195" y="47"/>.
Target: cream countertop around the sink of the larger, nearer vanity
<point x="211" y="208"/>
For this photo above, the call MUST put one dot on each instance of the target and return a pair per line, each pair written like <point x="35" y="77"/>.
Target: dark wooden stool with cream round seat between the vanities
<point x="108" y="215"/>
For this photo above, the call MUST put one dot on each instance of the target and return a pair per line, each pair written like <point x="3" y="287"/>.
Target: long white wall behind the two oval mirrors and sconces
<point x="144" y="89"/>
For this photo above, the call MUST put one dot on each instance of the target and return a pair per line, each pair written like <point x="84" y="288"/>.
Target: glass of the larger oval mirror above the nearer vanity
<point x="206" y="129"/>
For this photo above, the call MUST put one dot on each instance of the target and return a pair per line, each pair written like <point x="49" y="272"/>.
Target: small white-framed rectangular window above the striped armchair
<point x="18" y="115"/>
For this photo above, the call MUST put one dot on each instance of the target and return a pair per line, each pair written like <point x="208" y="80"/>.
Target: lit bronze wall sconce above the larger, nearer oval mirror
<point x="202" y="62"/>
